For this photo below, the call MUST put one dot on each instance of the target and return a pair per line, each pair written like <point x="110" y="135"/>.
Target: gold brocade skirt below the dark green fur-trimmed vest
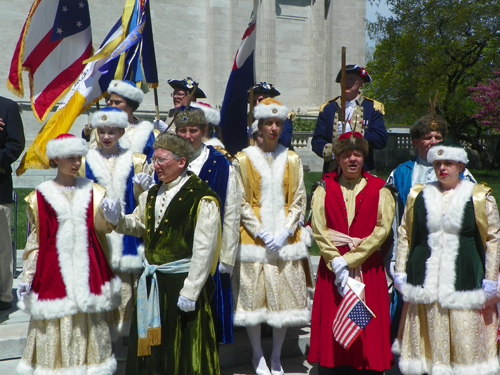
<point x="434" y="339"/>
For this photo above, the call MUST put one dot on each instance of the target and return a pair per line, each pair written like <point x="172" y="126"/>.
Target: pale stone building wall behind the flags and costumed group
<point x="298" y="48"/>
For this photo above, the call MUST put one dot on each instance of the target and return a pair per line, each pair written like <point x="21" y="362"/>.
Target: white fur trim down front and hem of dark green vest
<point x="443" y="240"/>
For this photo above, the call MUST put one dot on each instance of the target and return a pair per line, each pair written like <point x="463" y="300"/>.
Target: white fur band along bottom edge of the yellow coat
<point x="255" y="253"/>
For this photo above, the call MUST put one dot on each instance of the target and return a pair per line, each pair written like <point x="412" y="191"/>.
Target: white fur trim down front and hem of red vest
<point x="72" y="250"/>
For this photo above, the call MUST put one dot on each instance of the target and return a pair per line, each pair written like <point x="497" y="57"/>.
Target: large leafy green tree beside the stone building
<point x="424" y="46"/>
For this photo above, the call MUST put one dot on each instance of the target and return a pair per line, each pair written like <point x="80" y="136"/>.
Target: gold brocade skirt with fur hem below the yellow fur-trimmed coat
<point x="276" y="294"/>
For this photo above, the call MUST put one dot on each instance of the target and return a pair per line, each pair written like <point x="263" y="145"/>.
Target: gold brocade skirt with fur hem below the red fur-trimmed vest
<point x="74" y="344"/>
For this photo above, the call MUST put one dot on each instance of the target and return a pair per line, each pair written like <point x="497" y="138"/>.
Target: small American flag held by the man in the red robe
<point x="352" y="317"/>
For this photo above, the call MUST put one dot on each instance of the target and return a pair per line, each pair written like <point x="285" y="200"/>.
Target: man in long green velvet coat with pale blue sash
<point x="172" y="331"/>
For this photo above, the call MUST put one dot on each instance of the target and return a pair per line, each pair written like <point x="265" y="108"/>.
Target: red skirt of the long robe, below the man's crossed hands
<point x="372" y="348"/>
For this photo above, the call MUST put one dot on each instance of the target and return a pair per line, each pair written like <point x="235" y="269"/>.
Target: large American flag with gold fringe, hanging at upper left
<point x="55" y="40"/>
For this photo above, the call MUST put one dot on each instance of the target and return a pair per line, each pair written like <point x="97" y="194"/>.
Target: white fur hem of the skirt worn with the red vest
<point x="108" y="367"/>
